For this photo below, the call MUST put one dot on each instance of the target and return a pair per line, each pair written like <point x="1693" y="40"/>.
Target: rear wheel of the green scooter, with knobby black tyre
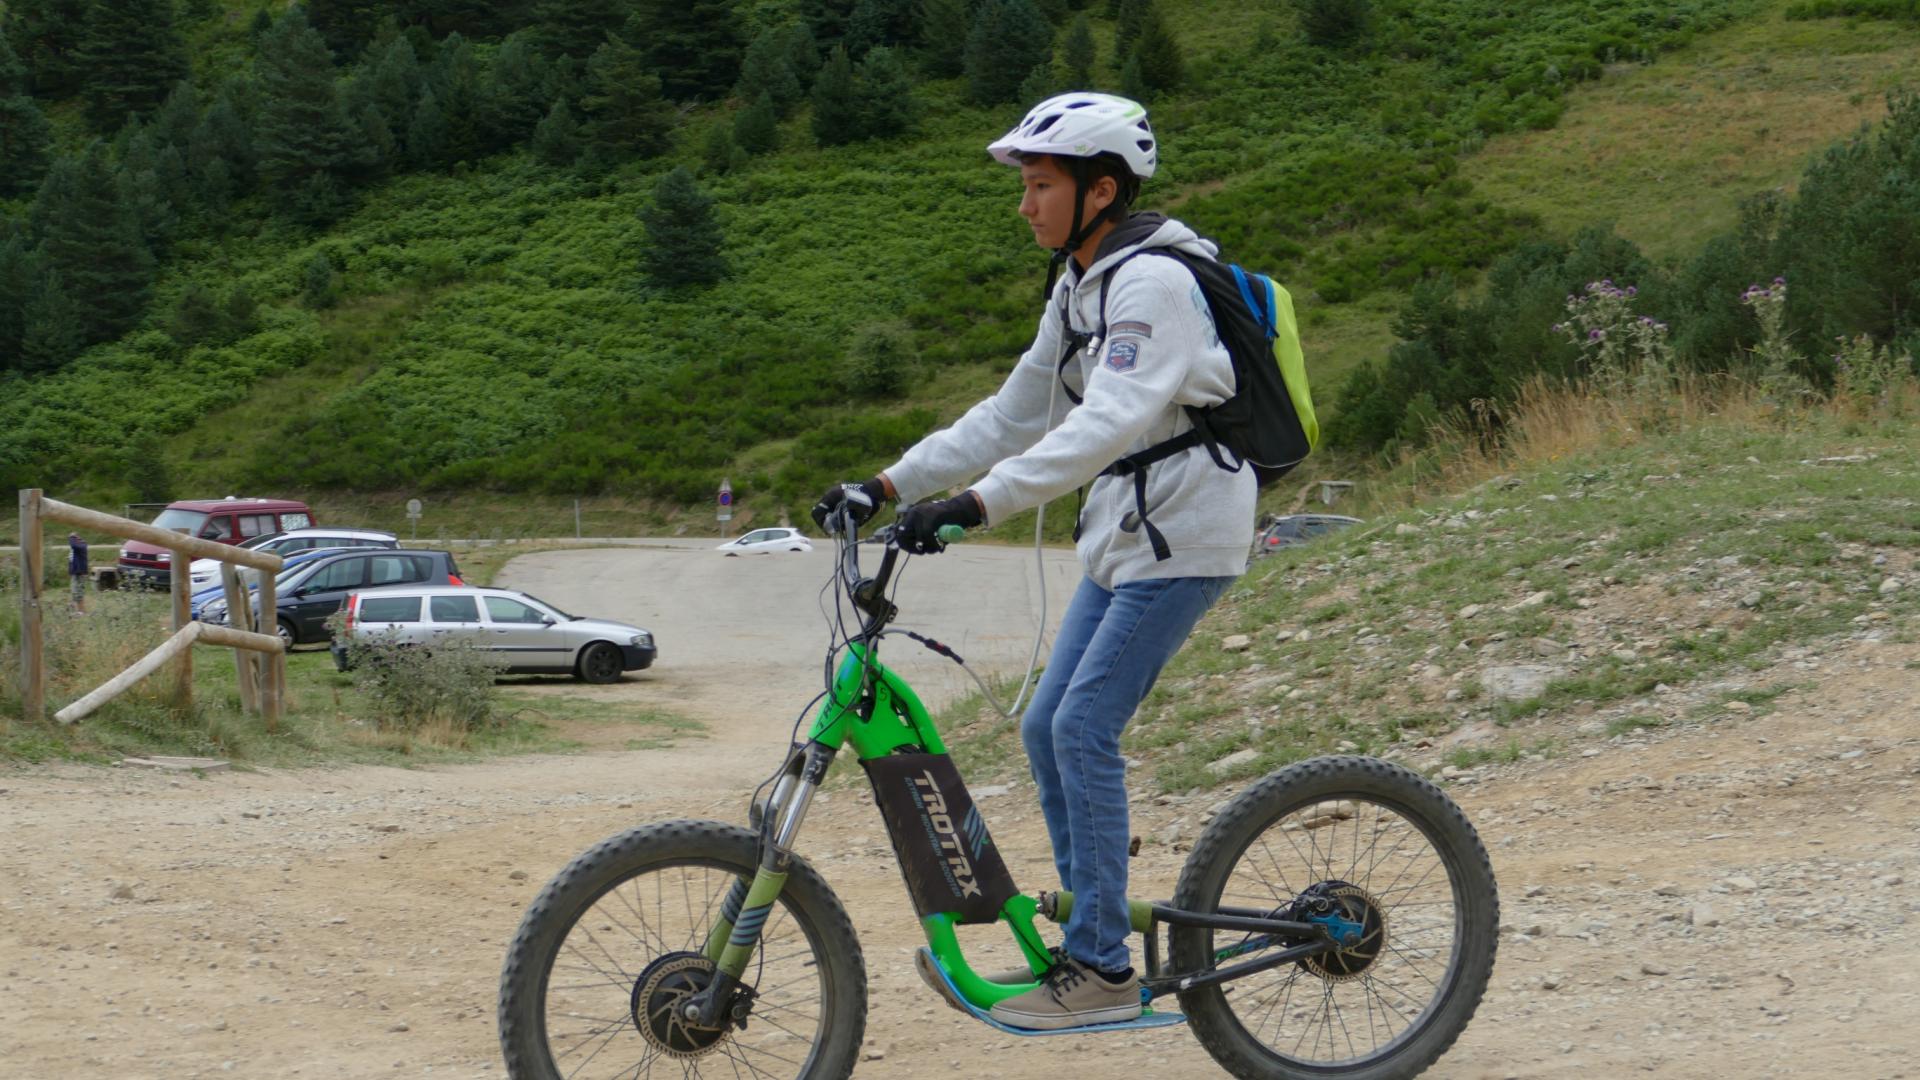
<point x="1385" y="860"/>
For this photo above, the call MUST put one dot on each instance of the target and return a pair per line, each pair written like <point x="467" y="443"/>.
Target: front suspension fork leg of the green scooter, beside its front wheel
<point x="744" y="912"/>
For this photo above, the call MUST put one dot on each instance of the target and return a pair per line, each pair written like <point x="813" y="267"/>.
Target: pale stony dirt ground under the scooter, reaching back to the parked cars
<point x="1733" y="898"/>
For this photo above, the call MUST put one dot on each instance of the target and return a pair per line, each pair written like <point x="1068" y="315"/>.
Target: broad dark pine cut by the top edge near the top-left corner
<point x="130" y="59"/>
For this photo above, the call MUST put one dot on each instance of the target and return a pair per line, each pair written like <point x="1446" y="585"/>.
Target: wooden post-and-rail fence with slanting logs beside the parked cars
<point x="260" y="658"/>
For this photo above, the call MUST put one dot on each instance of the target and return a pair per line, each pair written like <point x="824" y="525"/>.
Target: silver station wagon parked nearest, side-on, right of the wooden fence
<point x="533" y="635"/>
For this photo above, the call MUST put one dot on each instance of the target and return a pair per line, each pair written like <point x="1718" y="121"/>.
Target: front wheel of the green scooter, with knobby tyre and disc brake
<point x="617" y="939"/>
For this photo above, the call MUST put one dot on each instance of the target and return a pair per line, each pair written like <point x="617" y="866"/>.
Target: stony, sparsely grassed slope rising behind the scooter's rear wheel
<point x="1633" y="564"/>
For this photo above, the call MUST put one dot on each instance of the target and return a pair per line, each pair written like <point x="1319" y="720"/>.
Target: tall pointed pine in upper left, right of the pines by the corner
<point x="302" y="130"/>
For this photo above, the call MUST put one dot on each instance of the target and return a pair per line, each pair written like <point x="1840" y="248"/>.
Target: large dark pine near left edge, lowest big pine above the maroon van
<point x="91" y="241"/>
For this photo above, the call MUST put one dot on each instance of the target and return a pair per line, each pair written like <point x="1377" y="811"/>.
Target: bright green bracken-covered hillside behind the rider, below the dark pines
<point x="494" y="333"/>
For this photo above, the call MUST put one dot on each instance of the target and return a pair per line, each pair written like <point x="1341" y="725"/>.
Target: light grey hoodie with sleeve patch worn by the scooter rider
<point x="1161" y="355"/>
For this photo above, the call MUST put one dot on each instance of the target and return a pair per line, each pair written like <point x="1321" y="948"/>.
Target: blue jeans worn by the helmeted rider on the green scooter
<point x="1107" y="658"/>
